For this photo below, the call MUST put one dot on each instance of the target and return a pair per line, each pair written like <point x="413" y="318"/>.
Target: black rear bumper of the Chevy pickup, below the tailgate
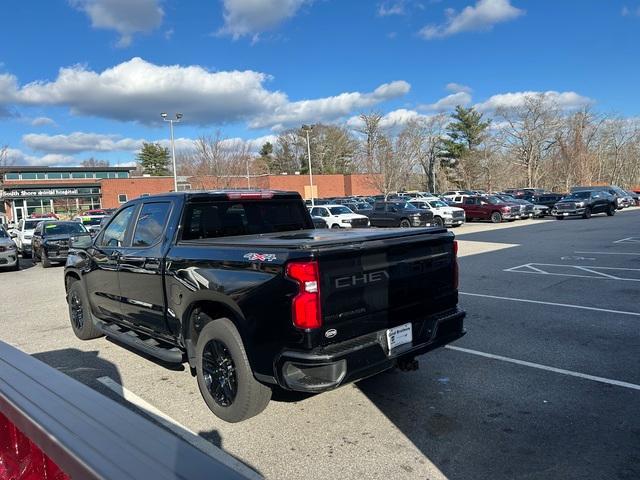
<point x="329" y="367"/>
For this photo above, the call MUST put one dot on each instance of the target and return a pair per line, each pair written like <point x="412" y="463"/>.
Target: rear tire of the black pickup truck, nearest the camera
<point x="220" y="343"/>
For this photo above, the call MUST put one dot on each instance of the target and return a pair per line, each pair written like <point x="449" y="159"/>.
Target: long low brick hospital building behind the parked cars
<point x="70" y="190"/>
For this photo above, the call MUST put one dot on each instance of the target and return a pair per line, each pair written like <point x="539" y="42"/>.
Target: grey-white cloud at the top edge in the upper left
<point x="127" y="17"/>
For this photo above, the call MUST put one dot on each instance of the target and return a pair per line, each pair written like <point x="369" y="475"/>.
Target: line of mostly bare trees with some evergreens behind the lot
<point x="534" y="144"/>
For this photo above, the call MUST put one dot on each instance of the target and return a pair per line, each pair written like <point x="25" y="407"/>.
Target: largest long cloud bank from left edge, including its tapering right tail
<point x="137" y="90"/>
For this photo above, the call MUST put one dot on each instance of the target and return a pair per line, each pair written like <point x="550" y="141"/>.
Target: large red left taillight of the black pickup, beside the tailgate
<point x="305" y="308"/>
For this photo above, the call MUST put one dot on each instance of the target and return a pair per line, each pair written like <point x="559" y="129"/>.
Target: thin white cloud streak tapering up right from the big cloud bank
<point x="329" y="108"/>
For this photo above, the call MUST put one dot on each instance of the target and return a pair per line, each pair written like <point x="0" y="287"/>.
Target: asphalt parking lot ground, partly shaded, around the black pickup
<point x="545" y="384"/>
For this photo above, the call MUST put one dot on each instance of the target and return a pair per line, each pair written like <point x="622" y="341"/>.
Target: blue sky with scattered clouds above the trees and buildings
<point x="81" y="78"/>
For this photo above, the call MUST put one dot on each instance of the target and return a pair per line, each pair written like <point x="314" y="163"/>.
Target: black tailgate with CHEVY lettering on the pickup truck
<point x="382" y="284"/>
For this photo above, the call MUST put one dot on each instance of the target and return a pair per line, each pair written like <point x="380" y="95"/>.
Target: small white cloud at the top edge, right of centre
<point x="480" y="17"/>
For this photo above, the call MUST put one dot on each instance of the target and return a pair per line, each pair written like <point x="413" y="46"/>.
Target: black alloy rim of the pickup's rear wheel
<point x="219" y="373"/>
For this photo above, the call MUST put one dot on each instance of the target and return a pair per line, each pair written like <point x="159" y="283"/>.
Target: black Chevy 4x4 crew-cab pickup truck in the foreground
<point x="240" y="286"/>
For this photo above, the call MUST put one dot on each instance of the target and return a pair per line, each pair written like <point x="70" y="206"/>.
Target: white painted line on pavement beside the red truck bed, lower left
<point x="179" y="429"/>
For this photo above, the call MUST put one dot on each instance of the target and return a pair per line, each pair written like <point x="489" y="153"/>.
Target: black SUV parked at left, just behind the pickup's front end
<point x="51" y="240"/>
